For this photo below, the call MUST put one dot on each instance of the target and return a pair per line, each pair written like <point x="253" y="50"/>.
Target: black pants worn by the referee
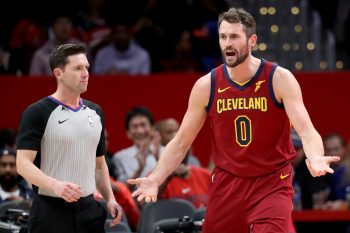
<point x="55" y="215"/>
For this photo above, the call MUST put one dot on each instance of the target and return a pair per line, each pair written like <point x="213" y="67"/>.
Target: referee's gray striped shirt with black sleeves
<point x="67" y="141"/>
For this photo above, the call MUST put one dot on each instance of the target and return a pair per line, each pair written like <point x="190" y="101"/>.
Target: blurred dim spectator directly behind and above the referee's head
<point x="62" y="33"/>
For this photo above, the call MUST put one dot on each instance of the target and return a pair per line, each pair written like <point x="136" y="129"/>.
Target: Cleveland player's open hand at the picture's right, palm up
<point x="320" y="165"/>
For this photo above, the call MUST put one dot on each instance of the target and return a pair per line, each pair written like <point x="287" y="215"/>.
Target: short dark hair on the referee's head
<point x="59" y="55"/>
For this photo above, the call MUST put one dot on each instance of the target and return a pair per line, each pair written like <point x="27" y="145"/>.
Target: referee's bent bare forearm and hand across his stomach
<point x="66" y="190"/>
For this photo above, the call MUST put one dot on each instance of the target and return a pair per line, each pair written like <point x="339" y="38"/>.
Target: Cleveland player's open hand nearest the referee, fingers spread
<point x="146" y="189"/>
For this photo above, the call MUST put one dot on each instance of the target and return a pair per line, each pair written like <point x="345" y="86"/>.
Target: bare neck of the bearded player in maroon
<point x="244" y="71"/>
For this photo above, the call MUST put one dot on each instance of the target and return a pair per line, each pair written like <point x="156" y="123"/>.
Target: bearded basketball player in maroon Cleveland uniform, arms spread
<point x="251" y="103"/>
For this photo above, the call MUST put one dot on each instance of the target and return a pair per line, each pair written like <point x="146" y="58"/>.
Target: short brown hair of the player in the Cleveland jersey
<point x="234" y="15"/>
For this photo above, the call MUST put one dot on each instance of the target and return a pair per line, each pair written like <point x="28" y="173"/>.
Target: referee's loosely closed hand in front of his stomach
<point x="70" y="192"/>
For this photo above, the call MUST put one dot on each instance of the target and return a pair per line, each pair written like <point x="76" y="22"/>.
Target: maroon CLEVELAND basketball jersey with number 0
<point x="251" y="130"/>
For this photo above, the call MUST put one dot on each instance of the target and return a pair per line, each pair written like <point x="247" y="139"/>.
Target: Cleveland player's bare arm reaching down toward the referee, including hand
<point x="176" y="149"/>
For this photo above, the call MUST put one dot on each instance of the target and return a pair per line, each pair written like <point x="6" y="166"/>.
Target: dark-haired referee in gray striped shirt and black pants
<point x="60" y="150"/>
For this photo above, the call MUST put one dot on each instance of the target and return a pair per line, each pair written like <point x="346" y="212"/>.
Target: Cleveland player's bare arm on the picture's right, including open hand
<point x="287" y="90"/>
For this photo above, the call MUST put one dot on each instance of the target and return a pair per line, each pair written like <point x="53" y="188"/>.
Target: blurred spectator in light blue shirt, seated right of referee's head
<point x="123" y="55"/>
